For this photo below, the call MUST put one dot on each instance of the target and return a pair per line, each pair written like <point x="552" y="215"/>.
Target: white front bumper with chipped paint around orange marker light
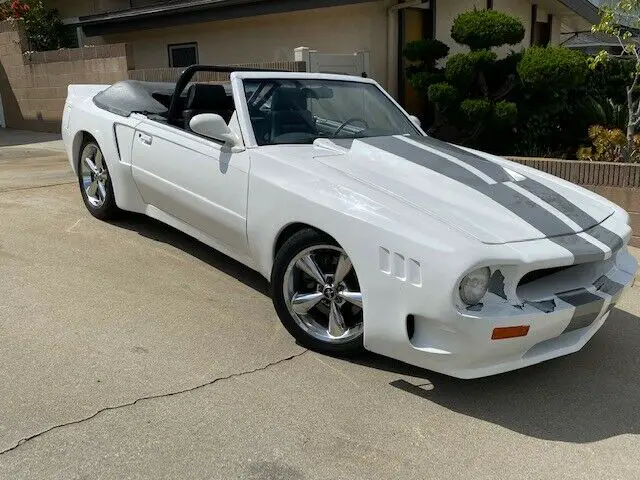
<point x="461" y="344"/>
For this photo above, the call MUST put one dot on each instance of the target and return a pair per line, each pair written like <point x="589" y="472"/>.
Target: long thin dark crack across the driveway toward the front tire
<point x="150" y="397"/>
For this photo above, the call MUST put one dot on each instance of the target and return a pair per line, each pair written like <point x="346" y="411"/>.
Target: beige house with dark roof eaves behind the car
<point x="177" y="33"/>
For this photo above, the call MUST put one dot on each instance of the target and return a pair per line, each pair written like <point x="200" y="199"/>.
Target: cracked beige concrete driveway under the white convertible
<point x="130" y="350"/>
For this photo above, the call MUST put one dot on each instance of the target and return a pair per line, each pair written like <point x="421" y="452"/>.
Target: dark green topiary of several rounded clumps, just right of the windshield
<point x="470" y="97"/>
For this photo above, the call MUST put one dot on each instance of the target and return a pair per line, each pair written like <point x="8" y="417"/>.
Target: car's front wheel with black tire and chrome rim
<point x="317" y="295"/>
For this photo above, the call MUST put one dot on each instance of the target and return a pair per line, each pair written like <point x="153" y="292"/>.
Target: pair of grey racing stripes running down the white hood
<point x="462" y="167"/>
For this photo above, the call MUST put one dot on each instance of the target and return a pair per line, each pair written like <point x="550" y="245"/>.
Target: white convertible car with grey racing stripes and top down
<point x="372" y="234"/>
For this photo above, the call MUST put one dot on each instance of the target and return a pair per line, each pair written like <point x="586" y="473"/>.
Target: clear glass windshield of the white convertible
<point x="301" y="111"/>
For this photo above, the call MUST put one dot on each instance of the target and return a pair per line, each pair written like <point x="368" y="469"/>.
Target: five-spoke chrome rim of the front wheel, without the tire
<point x="323" y="295"/>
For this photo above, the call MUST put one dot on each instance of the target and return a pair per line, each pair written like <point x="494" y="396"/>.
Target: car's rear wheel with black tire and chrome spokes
<point x="95" y="182"/>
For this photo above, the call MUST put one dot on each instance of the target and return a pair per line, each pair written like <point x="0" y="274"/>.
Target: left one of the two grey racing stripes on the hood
<point x="538" y="217"/>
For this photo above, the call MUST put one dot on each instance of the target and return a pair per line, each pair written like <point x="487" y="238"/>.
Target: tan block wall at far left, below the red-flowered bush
<point x="33" y="86"/>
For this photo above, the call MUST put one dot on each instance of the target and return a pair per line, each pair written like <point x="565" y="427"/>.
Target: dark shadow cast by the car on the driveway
<point x="585" y="397"/>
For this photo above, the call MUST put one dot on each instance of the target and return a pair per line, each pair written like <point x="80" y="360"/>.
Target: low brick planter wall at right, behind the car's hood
<point x="619" y="182"/>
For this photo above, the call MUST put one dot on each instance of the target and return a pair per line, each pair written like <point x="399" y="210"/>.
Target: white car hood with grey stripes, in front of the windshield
<point x="493" y="200"/>
